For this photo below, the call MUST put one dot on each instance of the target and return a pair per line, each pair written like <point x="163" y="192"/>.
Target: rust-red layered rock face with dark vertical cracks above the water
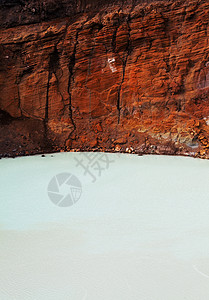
<point x="99" y="75"/>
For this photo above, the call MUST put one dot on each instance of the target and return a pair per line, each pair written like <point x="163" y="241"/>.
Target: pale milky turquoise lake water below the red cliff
<point x="93" y="226"/>
